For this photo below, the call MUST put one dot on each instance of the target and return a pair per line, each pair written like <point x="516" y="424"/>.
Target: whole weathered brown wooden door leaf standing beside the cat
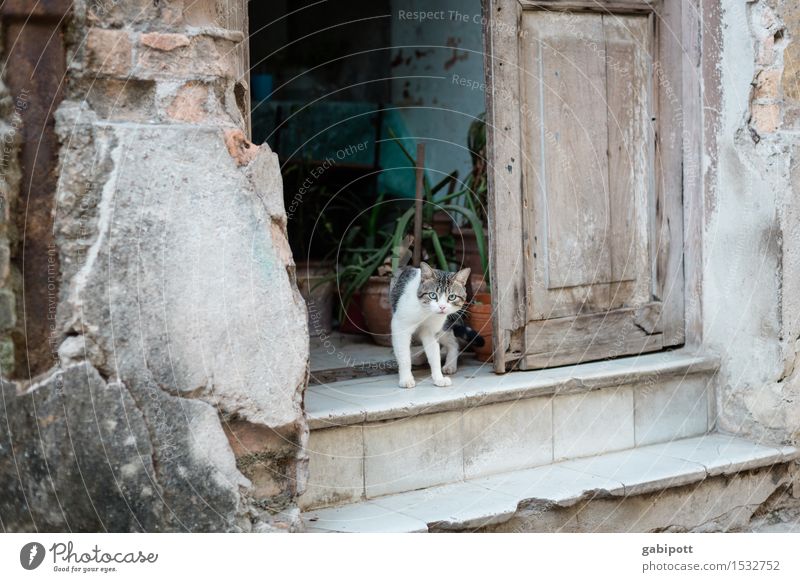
<point x="585" y="179"/>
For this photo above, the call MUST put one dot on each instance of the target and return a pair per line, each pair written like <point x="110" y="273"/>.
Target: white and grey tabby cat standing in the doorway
<point x="427" y="304"/>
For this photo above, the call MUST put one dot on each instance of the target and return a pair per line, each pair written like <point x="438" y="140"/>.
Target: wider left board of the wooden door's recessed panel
<point x="568" y="169"/>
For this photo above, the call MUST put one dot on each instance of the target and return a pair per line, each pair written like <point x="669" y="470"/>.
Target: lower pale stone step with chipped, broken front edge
<point x="488" y="501"/>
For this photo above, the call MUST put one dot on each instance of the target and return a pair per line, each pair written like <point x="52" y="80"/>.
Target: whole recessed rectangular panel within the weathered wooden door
<point x="587" y="179"/>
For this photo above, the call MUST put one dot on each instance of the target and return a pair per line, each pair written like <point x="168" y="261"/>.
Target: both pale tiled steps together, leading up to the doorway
<point x="382" y="458"/>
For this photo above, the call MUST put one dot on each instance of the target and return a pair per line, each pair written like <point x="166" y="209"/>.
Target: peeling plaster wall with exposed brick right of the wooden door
<point x="751" y="298"/>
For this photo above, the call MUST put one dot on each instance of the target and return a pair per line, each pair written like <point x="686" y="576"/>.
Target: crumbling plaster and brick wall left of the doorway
<point x="174" y="401"/>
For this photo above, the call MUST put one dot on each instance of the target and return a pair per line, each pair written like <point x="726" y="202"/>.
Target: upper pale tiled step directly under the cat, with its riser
<point x="370" y="438"/>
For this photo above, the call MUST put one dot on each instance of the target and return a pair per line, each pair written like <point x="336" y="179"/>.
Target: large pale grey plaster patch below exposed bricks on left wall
<point x="222" y="350"/>
